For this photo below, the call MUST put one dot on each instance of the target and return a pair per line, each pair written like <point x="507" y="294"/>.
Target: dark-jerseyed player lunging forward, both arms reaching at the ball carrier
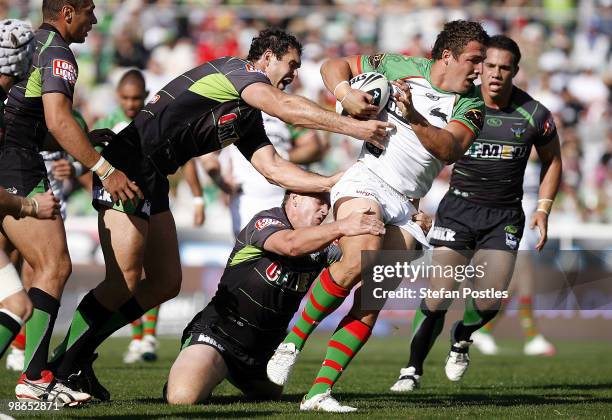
<point x="203" y="110"/>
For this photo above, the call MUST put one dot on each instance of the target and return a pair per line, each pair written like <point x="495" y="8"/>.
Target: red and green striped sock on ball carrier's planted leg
<point x="350" y="336"/>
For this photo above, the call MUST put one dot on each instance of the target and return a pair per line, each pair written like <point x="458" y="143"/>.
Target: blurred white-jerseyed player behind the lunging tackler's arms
<point x="252" y="192"/>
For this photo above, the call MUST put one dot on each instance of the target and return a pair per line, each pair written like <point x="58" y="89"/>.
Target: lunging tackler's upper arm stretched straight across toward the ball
<point x="301" y="112"/>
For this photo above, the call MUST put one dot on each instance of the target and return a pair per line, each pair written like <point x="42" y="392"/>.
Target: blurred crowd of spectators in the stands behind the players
<point x="566" y="46"/>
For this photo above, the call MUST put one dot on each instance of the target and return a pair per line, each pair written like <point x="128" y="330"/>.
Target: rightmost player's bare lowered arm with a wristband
<point x="550" y="179"/>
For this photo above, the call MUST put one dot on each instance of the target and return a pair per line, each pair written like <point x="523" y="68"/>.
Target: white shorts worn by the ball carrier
<point x="397" y="210"/>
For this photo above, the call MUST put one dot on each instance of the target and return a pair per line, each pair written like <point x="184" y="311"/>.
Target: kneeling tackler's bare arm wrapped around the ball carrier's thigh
<point x="303" y="241"/>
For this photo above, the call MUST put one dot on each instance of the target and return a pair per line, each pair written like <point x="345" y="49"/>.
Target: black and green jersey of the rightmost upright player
<point x="491" y="171"/>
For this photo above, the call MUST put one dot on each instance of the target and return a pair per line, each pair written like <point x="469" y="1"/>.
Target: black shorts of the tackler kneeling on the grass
<point x="243" y="369"/>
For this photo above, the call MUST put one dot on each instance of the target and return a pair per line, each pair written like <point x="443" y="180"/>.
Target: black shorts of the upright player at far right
<point x="463" y="225"/>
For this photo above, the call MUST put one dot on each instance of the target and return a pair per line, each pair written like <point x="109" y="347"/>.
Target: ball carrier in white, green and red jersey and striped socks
<point x="437" y="119"/>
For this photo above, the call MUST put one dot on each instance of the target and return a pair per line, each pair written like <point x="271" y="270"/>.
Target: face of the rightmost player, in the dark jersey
<point x="497" y="72"/>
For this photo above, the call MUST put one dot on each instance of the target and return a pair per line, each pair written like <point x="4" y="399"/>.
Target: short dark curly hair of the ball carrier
<point x="456" y="35"/>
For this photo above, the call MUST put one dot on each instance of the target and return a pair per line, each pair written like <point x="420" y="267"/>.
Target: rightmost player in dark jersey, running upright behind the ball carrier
<point x="481" y="217"/>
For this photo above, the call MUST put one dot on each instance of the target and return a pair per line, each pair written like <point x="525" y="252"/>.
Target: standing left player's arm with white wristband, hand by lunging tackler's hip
<point x="69" y="134"/>
